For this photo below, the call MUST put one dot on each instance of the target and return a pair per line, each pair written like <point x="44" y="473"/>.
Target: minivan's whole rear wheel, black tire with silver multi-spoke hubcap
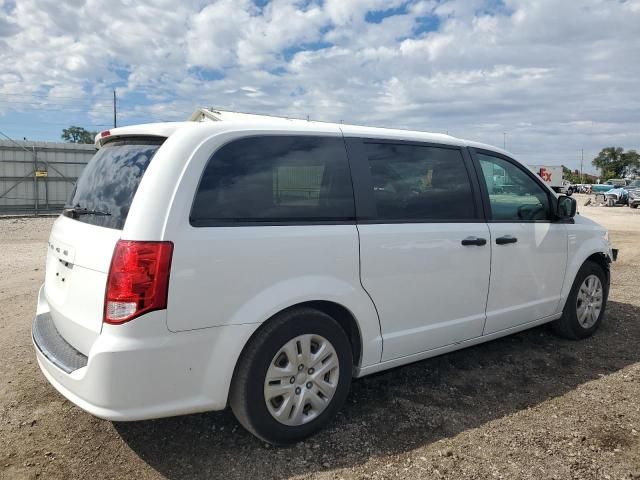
<point x="293" y="376"/>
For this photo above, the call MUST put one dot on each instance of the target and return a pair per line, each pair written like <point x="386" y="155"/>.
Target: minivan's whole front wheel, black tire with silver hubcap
<point x="586" y="303"/>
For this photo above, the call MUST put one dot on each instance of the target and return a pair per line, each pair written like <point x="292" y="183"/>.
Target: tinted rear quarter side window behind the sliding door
<point x="275" y="179"/>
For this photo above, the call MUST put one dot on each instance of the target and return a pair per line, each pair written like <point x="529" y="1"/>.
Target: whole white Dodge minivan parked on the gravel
<point x="263" y="265"/>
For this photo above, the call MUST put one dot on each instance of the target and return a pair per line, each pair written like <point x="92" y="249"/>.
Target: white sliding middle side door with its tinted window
<point x="424" y="246"/>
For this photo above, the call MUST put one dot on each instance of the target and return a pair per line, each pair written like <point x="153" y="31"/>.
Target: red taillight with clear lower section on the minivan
<point x="138" y="280"/>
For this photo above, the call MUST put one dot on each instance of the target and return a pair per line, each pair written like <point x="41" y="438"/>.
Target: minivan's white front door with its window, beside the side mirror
<point x="528" y="250"/>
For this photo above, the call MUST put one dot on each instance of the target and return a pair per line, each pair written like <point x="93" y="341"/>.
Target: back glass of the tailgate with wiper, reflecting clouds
<point x="104" y="192"/>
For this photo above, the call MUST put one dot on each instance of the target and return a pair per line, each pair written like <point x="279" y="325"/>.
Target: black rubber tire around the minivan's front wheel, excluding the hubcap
<point x="568" y="325"/>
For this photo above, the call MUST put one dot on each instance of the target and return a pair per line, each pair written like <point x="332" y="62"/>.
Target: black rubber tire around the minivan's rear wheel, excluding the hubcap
<point x="246" y="396"/>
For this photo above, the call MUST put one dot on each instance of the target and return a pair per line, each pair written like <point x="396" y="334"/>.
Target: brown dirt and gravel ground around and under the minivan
<point x="527" y="406"/>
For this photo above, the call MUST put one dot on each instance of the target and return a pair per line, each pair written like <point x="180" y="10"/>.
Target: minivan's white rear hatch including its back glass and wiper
<point x="83" y="238"/>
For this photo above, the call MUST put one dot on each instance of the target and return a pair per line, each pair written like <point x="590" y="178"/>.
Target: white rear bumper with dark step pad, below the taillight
<point x="141" y="370"/>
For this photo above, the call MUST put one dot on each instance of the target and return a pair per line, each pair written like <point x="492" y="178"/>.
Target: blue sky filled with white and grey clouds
<point x="556" y="76"/>
